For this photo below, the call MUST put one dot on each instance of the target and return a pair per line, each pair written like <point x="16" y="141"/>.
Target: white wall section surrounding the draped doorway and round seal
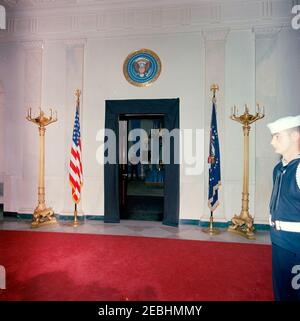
<point x="181" y="77"/>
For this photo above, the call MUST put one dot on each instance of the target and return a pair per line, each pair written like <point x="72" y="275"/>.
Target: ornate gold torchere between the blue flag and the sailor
<point x="243" y="224"/>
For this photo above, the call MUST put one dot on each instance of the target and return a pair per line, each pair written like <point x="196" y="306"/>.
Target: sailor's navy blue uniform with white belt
<point x="285" y="209"/>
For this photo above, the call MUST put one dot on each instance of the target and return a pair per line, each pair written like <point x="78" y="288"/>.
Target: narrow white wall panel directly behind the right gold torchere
<point x="239" y="90"/>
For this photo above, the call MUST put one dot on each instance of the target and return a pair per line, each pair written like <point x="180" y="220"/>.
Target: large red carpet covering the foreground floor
<point x="64" y="266"/>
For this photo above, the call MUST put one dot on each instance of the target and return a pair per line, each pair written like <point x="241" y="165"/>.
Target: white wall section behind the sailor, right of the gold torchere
<point x="277" y="87"/>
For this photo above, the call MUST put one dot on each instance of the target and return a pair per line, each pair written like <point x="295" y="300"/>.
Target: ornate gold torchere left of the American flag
<point x="42" y="215"/>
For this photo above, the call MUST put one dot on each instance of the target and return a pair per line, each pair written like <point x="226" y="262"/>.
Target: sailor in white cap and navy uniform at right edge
<point x="285" y="209"/>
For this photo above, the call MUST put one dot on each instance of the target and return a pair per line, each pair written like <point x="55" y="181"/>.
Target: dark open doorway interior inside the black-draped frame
<point x="141" y="184"/>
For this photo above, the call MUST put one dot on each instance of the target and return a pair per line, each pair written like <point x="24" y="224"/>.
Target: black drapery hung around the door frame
<point x="169" y="108"/>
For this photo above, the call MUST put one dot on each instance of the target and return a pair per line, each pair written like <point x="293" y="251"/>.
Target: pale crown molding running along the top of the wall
<point x="46" y="19"/>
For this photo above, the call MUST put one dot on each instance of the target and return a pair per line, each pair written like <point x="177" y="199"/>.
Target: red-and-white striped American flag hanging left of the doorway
<point x="75" y="174"/>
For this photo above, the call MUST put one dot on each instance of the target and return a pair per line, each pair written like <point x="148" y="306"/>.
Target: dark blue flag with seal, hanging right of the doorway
<point x="214" y="162"/>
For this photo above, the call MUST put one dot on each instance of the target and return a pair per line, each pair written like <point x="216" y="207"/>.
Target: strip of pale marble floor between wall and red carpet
<point x="135" y="228"/>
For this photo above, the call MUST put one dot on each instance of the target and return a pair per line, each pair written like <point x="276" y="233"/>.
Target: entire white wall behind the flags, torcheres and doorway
<point x="249" y="63"/>
